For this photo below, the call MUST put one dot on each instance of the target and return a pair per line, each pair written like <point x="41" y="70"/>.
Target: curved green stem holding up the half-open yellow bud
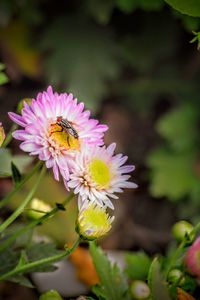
<point x="40" y="263"/>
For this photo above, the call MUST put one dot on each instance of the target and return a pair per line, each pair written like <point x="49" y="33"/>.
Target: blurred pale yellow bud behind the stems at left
<point x="38" y="208"/>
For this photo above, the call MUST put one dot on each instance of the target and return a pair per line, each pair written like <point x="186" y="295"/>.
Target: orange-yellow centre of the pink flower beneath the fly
<point x="63" y="138"/>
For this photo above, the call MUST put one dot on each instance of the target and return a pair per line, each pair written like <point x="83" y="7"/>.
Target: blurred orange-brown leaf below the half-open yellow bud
<point x="85" y="269"/>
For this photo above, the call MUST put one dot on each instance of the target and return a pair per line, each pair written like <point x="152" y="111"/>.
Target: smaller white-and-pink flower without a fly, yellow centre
<point x="98" y="174"/>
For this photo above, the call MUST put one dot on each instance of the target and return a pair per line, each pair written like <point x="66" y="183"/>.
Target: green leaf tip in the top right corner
<point x="191" y="8"/>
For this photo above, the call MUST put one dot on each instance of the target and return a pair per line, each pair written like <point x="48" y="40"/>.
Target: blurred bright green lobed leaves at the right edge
<point x="175" y="165"/>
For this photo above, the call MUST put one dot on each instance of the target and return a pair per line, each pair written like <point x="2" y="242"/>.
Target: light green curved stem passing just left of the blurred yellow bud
<point x="20" y="209"/>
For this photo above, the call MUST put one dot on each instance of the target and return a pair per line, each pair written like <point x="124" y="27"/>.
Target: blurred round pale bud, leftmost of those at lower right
<point x="140" y="290"/>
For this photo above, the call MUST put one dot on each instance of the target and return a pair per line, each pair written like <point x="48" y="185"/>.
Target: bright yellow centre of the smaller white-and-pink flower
<point x="100" y="173"/>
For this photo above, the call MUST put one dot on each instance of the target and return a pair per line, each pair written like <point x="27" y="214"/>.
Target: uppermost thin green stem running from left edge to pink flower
<point x="18" y="187"/>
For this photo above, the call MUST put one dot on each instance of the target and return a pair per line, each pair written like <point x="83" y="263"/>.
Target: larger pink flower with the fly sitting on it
<point x="43" y="136"/>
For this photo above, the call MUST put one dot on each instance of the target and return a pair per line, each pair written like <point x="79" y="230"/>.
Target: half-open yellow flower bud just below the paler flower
<point x="93" y="221"/>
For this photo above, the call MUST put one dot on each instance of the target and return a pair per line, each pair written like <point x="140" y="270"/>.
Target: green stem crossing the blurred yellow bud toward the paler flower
<point x="10" y="239"/>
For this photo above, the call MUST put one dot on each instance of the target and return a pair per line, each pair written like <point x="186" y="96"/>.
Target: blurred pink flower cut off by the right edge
<point x="192" y="258"/>
